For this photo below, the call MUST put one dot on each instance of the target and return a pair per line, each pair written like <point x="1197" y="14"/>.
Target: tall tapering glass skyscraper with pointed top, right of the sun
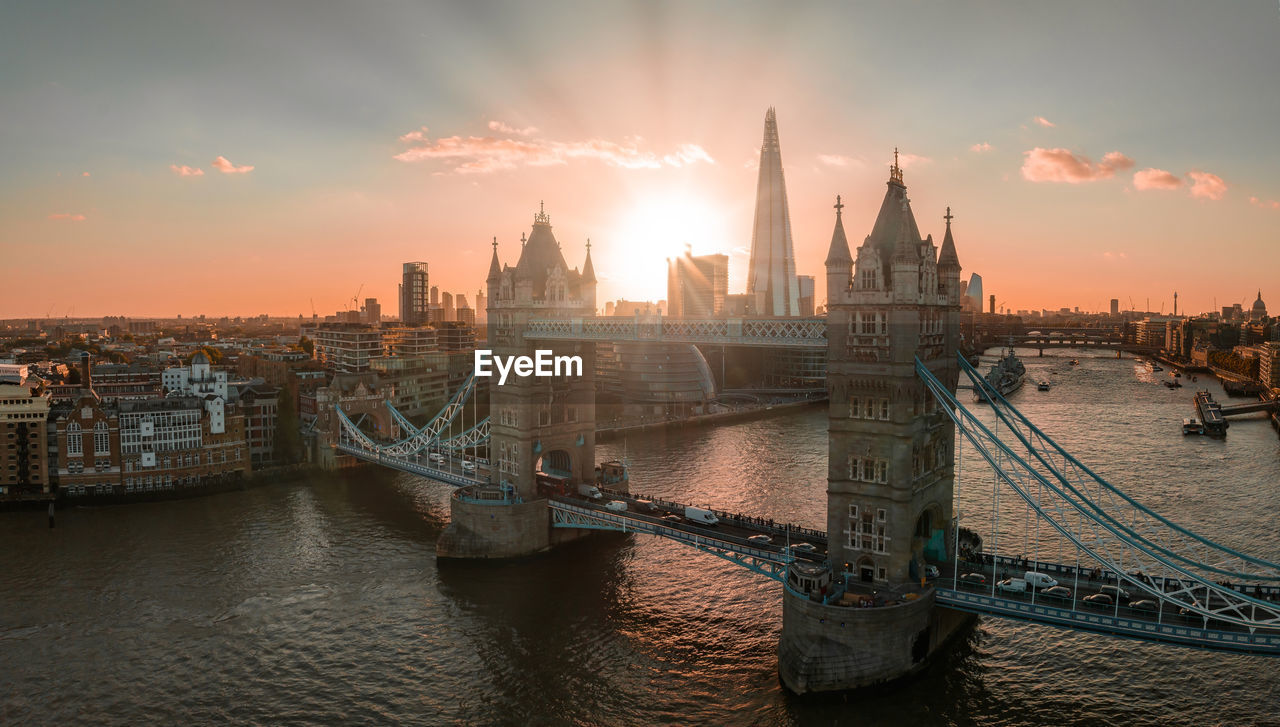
<point x="772" y="277"/>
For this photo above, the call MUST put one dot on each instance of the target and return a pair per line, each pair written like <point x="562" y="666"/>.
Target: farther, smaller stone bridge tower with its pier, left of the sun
<point x="537" y="423"/>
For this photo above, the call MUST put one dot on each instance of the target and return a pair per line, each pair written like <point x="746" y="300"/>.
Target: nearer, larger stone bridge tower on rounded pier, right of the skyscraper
<point x="890" y="456"/>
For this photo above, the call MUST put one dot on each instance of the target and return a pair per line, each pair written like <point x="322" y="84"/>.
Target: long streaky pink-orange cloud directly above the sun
<point x="482" y="156"/>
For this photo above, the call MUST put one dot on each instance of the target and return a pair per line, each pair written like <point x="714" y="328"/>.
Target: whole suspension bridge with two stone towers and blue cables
<point x="894" y="574"/>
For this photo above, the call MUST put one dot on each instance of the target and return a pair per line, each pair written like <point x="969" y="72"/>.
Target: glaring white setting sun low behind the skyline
<point x="657" y="227"/>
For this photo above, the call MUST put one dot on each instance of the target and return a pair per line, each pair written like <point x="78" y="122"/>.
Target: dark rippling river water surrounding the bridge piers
<point x="322" y="602"/>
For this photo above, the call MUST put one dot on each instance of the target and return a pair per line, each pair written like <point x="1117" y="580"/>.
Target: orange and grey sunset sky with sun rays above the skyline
<point x="236" y="159"/>
